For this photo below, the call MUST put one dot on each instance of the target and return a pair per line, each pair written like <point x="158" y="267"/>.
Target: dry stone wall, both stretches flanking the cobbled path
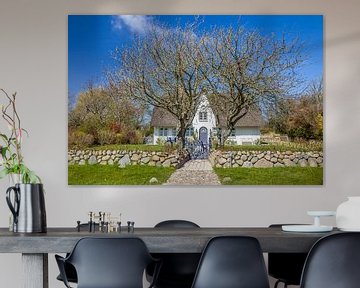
<point x="227" y="159"/>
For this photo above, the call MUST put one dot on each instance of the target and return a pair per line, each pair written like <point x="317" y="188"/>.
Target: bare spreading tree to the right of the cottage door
<point x="245" y="69"/>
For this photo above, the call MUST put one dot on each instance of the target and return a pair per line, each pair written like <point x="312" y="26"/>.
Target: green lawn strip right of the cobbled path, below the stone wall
<point x="271" y="176"/>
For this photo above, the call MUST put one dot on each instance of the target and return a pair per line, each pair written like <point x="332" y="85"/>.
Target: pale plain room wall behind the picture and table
<point x="33" y="62"/>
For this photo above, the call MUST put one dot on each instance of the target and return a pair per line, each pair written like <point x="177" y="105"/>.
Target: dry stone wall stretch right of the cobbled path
<point x="265" y="159"/>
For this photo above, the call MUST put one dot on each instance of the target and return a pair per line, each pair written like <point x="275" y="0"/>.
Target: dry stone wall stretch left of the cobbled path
<point x="124" y="158"/>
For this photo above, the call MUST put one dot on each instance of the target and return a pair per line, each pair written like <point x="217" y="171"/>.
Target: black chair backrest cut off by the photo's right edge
<point x="333" y="262"/>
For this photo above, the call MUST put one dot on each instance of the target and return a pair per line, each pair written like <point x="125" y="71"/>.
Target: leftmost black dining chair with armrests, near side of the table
<point x="108" y="263"/>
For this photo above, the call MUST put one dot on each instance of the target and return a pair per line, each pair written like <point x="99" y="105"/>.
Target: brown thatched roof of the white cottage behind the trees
<point x="163" y="118"/>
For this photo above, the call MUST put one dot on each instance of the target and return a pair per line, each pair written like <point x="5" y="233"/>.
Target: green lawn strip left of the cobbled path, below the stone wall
<point x="113" y="175"/>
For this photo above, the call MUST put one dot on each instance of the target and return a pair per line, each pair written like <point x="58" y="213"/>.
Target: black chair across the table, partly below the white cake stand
<point x="286" y="267"/>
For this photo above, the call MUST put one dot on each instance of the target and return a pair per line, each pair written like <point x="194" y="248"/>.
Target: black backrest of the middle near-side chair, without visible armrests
<point x="232" y="262"/>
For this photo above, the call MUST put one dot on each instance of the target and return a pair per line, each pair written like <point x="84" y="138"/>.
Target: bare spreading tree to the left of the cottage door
<point x="162" y="68"/>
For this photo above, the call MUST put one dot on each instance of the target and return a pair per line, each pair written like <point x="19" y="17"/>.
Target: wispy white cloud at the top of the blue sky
<point x="135" y="23"/>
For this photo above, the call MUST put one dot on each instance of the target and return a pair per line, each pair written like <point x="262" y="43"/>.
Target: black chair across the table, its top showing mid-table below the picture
<point x="178" y="269"/>
